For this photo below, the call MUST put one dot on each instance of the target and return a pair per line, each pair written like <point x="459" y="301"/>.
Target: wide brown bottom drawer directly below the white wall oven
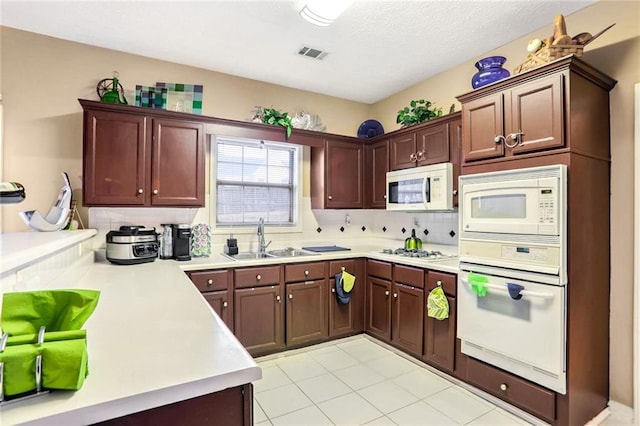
<point x="514" y="390"/>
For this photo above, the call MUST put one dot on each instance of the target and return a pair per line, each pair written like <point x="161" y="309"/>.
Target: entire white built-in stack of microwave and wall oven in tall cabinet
<point x="513" y="277"/>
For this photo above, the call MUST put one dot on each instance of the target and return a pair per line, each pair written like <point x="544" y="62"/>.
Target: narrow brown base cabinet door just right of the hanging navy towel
<point x="379" y="308"/>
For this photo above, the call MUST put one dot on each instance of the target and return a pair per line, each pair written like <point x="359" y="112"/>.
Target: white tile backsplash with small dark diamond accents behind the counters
<point x="318" y="226"/>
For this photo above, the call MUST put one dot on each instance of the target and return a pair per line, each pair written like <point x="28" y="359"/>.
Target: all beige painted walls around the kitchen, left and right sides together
<point x="42" y="77"/>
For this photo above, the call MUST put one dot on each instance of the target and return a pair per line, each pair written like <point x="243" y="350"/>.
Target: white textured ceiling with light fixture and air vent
<point x="375" y="49"/>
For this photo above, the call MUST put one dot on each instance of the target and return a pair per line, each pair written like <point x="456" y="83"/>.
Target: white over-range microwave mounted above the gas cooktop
<point x="424" y="188"/>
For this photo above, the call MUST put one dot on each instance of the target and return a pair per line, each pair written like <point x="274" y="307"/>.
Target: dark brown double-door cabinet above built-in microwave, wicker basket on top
<point x="554" y="107"/>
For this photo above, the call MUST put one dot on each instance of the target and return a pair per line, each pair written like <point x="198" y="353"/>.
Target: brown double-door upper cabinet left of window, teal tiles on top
<point x="137" y="157"/>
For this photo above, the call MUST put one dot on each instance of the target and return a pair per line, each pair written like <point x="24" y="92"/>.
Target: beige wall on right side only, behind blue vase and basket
<point x="617" y="53"/>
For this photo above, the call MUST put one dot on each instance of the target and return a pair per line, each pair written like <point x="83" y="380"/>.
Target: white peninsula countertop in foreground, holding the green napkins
<point x="152" y="340"/>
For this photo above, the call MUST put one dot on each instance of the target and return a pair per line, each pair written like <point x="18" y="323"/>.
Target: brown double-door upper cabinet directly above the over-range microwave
<point x="426" y="143"/>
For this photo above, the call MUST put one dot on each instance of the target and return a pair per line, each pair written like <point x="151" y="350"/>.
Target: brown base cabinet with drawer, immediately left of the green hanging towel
<point x="407" y="309"/>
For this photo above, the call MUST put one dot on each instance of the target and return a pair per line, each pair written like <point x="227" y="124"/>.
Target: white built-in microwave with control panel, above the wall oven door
<point x="515" y="219"/>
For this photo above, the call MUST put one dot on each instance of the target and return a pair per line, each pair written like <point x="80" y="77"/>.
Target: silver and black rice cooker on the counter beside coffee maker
<point x="131" y="245"/>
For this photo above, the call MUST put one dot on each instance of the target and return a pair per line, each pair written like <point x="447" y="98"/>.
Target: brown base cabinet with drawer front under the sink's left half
<point x="259" y="309"/>
